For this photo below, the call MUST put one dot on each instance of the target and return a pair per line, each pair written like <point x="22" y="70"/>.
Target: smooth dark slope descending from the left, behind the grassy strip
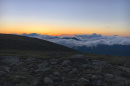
<point x="16" y="42"/>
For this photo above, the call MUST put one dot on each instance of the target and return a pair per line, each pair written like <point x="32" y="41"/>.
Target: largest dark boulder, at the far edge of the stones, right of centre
<point x="79" y="59"/>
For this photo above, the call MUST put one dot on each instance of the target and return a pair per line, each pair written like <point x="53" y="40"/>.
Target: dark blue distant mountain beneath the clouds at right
<point x="120" y="50"/>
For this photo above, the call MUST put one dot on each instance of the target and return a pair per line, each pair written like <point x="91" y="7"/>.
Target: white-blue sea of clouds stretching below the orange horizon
<point x="83" y="40"/>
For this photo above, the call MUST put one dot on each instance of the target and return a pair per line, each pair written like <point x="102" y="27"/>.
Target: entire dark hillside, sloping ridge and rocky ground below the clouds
<point x="23" y="63"/>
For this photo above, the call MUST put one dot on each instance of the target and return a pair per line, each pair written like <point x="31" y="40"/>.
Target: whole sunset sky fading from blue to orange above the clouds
<point x="54" y="17"/>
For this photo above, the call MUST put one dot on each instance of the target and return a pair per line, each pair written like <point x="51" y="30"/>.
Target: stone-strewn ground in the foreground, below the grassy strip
<point x="78" y="70"/>
